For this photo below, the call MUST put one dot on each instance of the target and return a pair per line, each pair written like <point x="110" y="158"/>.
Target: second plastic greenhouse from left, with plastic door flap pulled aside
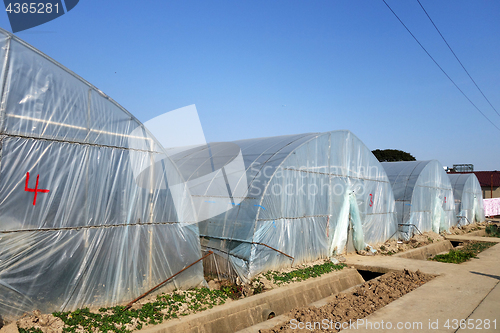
<point x="265" y="203"/>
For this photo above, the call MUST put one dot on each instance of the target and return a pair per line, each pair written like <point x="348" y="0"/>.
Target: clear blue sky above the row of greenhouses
<point x="264" y="68"/>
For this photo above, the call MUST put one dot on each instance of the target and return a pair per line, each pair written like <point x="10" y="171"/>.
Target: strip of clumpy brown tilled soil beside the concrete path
<point x="358" y="303"/>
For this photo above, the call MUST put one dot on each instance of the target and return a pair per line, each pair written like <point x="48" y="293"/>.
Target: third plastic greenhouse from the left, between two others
<point x="423" y="194"/>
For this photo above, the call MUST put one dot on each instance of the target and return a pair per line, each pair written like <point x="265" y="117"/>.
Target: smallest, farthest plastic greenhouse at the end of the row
<point x="468" y="197"/>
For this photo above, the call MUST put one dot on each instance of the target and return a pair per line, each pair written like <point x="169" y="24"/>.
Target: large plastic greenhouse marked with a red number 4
<point x="87" y="213"/>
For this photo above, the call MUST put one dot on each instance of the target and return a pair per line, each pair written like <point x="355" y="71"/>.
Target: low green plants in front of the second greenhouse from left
<point x="303" y="273"/>
